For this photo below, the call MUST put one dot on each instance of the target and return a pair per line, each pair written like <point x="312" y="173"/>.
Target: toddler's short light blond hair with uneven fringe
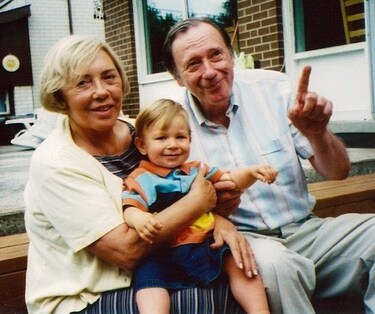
<point x="163" y="110"/>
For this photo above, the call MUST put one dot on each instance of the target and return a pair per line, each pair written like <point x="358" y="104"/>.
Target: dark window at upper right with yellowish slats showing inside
<point x="328" y="23"/>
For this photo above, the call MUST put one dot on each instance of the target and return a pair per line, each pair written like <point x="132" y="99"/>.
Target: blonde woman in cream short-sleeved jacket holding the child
<point x="81" y="252"/>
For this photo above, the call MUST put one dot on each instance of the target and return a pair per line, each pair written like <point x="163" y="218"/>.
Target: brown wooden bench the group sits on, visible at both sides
<point x="355" y="194"/>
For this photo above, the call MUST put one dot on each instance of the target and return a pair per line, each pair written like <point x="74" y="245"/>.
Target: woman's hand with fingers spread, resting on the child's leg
<point x="242" y="254"/>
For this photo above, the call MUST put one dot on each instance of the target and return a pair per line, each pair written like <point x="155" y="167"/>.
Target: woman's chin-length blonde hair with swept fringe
<point x="66" y="63"/>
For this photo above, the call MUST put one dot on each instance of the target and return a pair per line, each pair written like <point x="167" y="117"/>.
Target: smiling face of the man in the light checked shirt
<point x="204" y="65"/>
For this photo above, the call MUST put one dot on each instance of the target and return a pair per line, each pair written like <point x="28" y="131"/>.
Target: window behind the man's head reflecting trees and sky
<point x="160" y="15"/>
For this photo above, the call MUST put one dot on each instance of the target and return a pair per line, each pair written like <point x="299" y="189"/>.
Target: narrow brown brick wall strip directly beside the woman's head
<point x="119" y="30"/>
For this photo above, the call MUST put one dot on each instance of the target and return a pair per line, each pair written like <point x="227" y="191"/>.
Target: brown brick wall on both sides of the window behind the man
<point x="260" y="34"/>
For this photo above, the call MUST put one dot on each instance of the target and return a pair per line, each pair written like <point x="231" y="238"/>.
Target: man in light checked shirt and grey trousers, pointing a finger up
<point x="253" y="118"/>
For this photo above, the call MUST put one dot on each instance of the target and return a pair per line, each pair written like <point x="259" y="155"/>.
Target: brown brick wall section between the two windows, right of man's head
<point x="261" y="31"/>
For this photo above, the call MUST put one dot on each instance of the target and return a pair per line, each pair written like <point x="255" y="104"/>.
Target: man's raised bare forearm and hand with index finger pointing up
<point x="310" y="115"/>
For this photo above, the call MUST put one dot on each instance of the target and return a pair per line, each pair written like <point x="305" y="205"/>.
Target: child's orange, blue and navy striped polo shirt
<point x="153" y="188"/>
